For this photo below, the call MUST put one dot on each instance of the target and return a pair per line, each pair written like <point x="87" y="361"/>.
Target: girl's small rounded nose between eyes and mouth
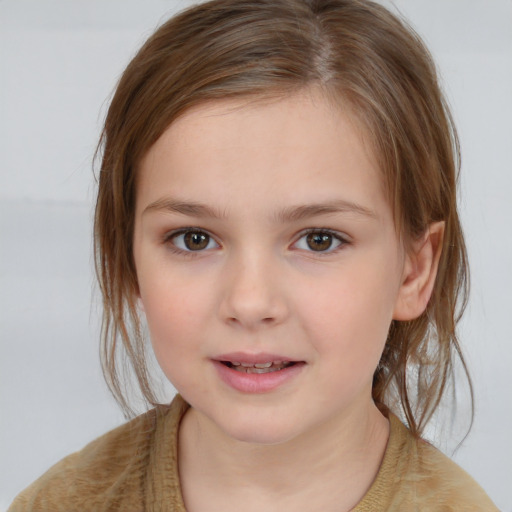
<point x="253" y="296"/>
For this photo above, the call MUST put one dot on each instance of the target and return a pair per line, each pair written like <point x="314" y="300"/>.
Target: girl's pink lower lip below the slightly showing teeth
<point x="257" y="382"/>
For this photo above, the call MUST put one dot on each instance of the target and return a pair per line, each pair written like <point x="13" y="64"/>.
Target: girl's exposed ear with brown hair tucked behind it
<point x="419" y="275"/>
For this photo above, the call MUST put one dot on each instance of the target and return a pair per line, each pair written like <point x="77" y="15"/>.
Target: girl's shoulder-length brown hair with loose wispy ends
<point x="355" y="51"/>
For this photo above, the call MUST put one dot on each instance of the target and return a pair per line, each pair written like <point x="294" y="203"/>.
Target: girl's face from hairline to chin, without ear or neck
<point x="230" y="272"/>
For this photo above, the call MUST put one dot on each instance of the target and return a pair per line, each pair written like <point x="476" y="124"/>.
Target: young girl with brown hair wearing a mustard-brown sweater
<point x="277" y="203"/>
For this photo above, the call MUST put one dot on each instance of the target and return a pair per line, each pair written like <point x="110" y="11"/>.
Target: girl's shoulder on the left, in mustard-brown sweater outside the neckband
<point x="108" y="472"/>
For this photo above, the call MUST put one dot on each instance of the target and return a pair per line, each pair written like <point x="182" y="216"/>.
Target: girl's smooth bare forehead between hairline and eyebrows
<point x="296" y="149"/>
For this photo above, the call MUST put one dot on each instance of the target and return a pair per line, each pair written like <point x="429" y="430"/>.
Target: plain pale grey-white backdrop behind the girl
<point x="59" y="61"/>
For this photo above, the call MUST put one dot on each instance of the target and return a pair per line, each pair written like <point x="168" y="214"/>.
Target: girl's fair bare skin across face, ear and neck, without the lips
<point x="315" y="442"/>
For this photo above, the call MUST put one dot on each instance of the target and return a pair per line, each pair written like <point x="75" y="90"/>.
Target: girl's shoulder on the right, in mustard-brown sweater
<point x="430" y="481"/>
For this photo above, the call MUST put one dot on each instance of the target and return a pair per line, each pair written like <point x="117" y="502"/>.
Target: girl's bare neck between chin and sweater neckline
<point x="335" y="463"/>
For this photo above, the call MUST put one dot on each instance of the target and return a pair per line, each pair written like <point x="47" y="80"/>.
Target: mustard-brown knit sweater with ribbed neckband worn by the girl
<point x="134" y="468"/>
